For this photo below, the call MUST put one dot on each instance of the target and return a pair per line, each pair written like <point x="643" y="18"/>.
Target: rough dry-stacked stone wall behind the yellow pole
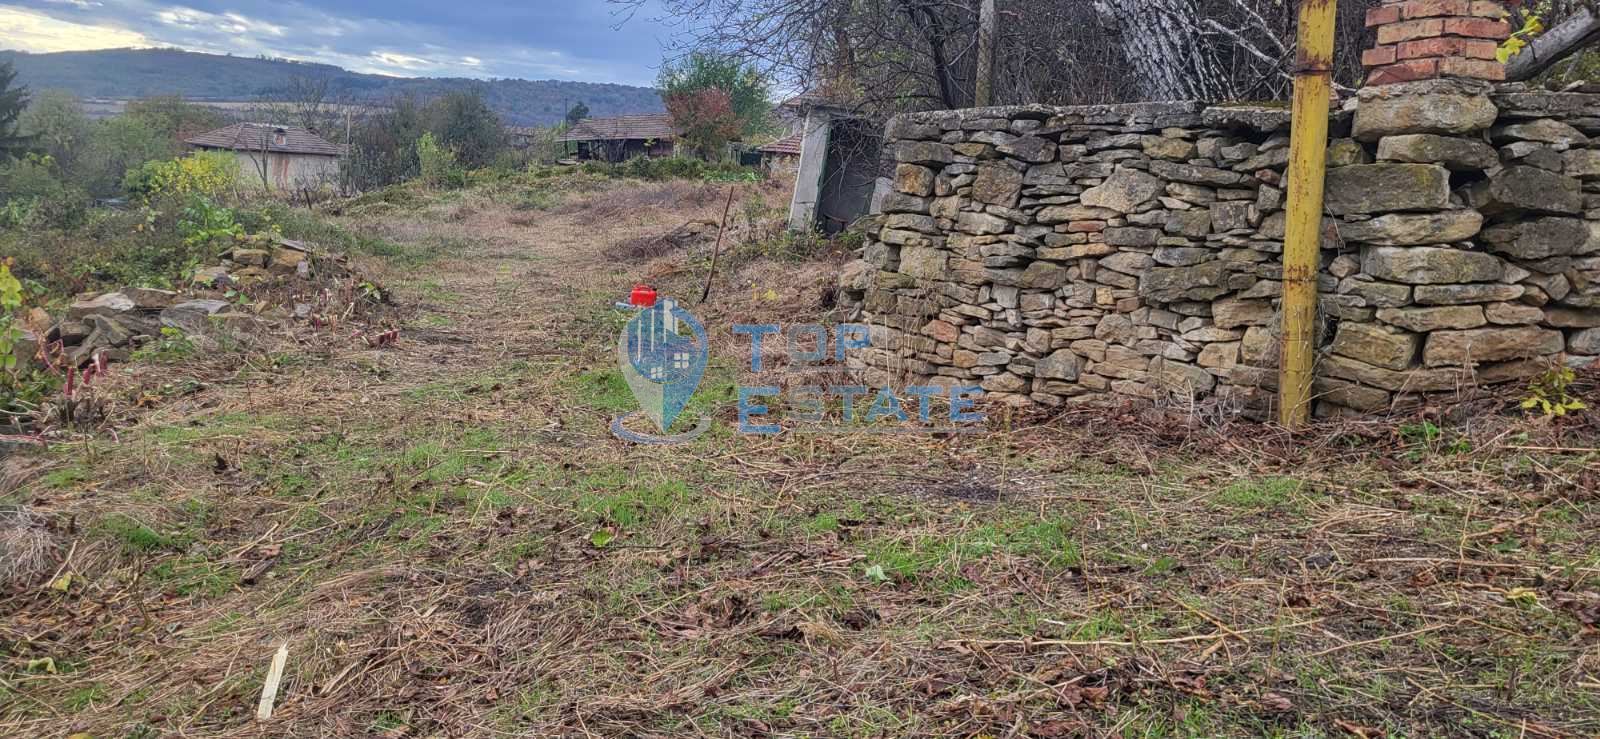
<point x="1055" y="255"/>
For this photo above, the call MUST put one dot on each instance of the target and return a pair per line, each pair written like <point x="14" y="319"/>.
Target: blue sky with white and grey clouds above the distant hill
<point x="538" y="41"/>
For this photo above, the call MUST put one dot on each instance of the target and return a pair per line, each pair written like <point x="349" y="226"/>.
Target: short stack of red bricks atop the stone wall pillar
<point x="1434" y="39"/>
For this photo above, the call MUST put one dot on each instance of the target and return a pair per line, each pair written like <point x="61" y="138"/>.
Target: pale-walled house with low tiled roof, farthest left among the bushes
<point x="284" y="159"/>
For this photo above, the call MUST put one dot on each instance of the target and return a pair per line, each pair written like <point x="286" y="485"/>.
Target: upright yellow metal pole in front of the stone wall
<point x="1303" y="234"/>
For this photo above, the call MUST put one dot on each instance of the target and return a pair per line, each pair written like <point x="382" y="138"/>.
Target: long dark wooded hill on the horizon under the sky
<point x="126" y="74"/>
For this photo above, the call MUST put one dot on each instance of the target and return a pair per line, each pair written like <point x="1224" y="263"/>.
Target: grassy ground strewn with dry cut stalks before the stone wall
<point x="450" y="541"/>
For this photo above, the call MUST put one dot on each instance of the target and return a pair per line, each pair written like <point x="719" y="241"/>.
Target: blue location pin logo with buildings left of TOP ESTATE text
<point x="663" y="356"/>
